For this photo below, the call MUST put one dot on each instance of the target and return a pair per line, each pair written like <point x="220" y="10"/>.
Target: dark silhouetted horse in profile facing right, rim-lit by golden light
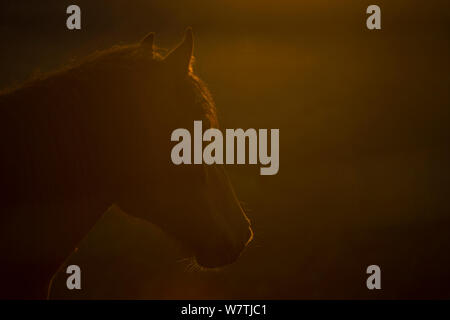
<point x="96" y="133"/>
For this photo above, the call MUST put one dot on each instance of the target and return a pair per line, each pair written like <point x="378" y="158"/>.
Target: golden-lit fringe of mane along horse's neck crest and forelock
<point x="122" y="56"/>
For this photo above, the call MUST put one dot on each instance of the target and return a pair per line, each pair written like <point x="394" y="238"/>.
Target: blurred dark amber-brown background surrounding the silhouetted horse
<point x="364" y="142"/>
